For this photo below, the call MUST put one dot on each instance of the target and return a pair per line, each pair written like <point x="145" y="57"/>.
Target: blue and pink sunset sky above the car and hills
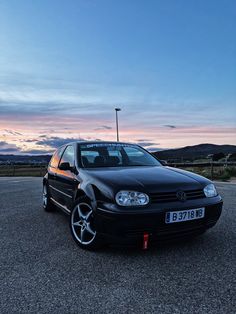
<point x="66" y="64"/>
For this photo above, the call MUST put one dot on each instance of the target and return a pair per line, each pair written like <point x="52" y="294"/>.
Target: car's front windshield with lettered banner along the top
<point x="115" y="155"/>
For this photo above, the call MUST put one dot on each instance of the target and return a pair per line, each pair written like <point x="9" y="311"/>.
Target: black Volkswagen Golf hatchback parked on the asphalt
<point x="119" y="193"/>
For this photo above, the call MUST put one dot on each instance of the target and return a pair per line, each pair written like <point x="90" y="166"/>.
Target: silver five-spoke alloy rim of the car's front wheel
<point x="81" y="223"/>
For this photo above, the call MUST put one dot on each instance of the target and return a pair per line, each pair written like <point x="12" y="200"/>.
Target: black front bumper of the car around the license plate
<point x="127" y="226"/>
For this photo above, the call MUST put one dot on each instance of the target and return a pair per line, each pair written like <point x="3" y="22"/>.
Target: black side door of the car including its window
<point x="66" y="181"/>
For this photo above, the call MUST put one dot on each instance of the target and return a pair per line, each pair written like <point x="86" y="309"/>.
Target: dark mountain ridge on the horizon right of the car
<point x="195" y="152"/>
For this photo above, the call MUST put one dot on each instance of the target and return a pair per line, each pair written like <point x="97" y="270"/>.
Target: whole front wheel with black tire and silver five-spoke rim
<point x="82" y="225"/>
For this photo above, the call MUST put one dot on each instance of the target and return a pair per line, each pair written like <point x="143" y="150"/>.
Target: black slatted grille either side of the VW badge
<point x="162" y="197"/>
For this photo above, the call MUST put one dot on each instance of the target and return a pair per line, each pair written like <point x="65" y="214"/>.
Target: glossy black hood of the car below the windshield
<point x="146" y="179"/>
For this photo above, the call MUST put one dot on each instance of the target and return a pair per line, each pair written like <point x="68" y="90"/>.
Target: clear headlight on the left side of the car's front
<point x="131" y="198"/>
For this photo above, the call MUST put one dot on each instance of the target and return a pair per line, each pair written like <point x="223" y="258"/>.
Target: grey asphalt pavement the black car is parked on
<point x="42" y="270"/>
